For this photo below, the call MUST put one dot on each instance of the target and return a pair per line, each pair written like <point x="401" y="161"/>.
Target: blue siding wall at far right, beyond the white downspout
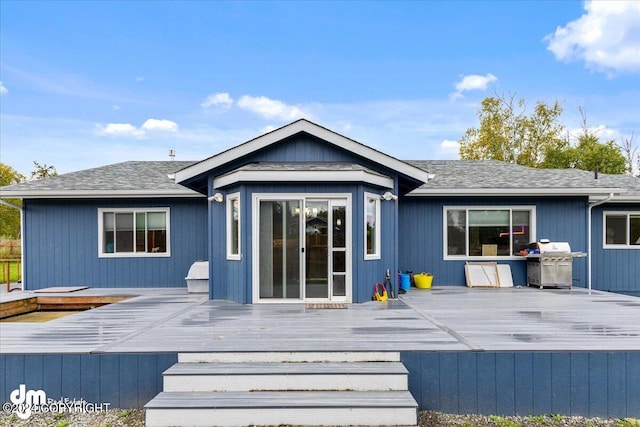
<point x="615" y="270"/>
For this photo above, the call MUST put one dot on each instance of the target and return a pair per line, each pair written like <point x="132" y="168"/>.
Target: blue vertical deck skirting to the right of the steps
<point x="597" y="384"/>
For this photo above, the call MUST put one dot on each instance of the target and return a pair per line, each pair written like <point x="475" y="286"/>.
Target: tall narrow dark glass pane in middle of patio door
<point x="317" y="249"/>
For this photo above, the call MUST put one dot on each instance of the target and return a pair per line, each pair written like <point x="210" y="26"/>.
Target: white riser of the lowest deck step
<point x="278" y="416"/>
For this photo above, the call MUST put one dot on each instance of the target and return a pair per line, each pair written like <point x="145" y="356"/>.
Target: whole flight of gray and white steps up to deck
<point x="272" y="388"/>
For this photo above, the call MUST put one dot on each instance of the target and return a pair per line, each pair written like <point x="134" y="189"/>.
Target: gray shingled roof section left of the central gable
<point x="135" y="178"/>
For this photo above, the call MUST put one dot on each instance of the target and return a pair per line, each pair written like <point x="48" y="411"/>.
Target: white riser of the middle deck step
<point x="304" y="382"/>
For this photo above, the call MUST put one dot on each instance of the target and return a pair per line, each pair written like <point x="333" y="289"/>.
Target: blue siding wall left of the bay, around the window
<point x="61" y="245"/>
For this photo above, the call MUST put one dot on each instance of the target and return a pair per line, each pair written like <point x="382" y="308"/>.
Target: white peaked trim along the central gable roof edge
<point x="289" y="130"/>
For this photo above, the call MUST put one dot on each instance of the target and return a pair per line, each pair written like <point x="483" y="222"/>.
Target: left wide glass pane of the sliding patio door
<point x="279" y="249"/>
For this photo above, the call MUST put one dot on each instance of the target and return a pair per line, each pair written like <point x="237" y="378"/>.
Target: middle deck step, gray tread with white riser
<point x="285" y="376"/>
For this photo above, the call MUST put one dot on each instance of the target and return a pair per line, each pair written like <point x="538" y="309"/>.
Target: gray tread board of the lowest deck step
<point x="284" y="399"/>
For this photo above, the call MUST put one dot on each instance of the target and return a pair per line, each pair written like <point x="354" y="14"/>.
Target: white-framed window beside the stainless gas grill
<point x="471" y="232"/>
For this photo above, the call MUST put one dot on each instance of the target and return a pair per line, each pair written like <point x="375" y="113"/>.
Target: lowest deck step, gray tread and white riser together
<point x="328" y="408"/>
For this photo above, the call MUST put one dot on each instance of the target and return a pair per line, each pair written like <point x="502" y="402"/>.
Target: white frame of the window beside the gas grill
<point x="465" y="256"/>
